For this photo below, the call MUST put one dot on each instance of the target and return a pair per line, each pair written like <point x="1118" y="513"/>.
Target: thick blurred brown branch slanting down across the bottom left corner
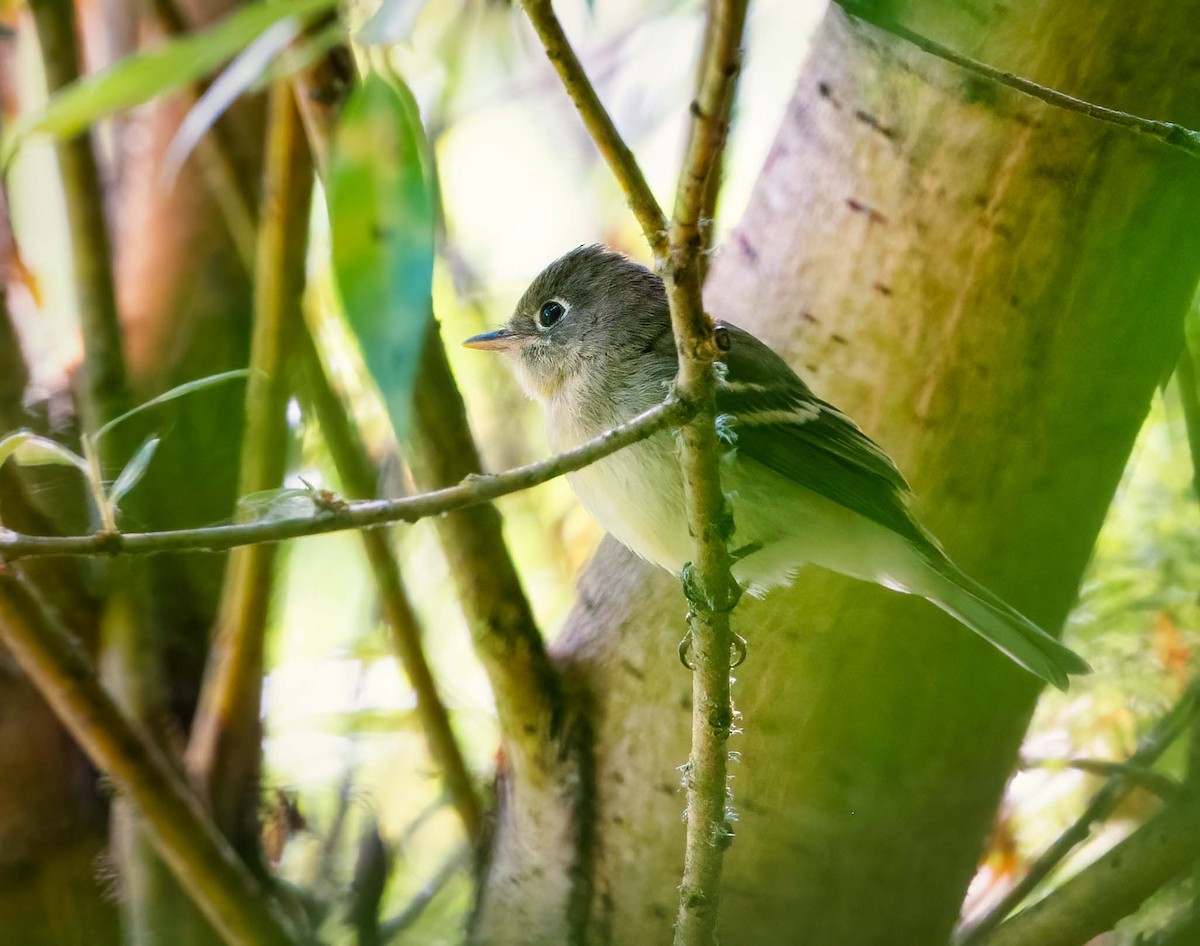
<point x="207" y="867"/>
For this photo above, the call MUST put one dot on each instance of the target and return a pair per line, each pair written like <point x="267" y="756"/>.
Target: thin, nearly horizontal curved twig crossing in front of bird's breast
<point x="472" y="492"/>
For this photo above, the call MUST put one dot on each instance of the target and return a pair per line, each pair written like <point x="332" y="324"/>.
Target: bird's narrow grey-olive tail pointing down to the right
<point x="1000" y="624"/>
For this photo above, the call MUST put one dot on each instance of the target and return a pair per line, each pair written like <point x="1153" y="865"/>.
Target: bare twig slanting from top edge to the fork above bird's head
<point x="599" y="124"/>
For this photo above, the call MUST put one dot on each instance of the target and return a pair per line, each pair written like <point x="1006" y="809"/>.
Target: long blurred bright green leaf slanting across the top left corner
<point x="152" y="73"/>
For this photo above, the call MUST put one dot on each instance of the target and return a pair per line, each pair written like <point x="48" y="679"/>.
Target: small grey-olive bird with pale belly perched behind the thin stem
<point x="592" y="342"/>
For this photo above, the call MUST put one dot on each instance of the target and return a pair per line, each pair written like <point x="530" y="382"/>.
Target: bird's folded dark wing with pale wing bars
<point x="779" y="423"/>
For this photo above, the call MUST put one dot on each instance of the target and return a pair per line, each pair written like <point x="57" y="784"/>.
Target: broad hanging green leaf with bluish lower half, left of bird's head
<point x="382" y="232"/>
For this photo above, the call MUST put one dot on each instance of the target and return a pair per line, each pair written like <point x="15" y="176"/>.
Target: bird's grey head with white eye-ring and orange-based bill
<point x="583" y="326"/>
